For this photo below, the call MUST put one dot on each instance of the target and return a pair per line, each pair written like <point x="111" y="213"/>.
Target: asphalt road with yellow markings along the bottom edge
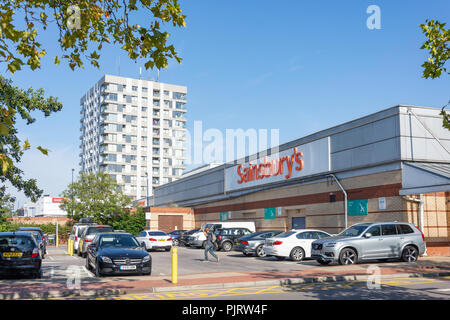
<point x="389" y="289"/>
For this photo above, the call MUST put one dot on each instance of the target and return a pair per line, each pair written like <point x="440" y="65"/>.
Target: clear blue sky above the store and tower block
<point x="297" y="66"/>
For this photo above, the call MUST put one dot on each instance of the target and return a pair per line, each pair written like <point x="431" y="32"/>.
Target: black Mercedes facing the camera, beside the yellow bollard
<point x="117" y="252"/>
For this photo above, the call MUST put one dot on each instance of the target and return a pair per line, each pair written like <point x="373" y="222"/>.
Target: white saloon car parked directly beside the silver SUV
<point x="294" y="244"/>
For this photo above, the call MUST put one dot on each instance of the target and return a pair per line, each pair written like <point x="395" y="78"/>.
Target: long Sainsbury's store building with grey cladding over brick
<point x="393" y="165"/>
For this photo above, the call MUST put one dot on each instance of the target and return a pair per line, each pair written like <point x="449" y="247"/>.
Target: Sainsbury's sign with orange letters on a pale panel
<point x="303" y="160"/>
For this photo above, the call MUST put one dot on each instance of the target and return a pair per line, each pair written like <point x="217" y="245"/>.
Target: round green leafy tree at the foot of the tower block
<point x="96" y="196"/>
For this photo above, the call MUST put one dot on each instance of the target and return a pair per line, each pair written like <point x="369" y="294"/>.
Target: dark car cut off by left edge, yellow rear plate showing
<point x="19" y="253"/>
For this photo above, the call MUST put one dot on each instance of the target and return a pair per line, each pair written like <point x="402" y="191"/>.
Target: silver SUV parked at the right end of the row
<point x="371" y="241"/>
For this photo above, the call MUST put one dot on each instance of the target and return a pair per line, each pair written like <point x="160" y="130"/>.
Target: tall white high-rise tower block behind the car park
<point x="131" y="128"/>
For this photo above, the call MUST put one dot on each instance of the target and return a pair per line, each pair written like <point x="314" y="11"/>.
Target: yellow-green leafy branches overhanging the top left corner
<point x="84" y="26"/>
